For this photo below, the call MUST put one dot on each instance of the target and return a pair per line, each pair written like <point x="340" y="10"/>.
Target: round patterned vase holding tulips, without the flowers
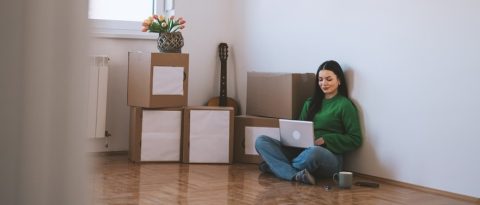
<point x="170" y="42"/>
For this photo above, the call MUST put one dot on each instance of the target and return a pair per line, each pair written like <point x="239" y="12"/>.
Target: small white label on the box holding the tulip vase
<point x="167" y="80"/>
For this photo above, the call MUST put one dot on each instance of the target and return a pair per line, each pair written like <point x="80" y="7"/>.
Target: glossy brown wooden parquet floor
<point x="118" y="181"/>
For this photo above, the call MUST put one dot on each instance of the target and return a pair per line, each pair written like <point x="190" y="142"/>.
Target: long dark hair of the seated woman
<point x="319" y="95"/>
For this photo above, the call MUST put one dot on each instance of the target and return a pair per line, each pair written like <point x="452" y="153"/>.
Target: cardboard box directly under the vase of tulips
<point x="157" y="80"/>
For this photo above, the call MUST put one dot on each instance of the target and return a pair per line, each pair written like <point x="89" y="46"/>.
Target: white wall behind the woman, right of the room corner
<point x="412" y="68"/>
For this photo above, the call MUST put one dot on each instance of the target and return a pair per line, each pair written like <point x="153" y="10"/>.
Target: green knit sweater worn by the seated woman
<point x="337" y="122"/>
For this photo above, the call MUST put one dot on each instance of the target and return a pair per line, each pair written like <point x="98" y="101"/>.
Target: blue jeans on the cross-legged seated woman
<point x="285" y="162"/>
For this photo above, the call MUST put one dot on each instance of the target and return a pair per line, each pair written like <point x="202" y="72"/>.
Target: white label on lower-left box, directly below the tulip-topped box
<point x="161" y="133"/>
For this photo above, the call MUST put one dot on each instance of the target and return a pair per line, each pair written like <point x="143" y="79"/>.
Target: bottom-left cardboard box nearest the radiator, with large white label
<point x="155" y="134"/>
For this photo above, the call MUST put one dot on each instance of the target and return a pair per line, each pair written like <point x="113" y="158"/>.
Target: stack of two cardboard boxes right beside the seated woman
<point x="270" y="96"/>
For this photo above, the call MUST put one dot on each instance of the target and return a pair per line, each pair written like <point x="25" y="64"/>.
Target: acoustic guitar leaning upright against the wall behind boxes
<point x="223" y="100"/>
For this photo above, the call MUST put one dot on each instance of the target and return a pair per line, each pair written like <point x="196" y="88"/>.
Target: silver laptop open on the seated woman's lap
<point x="296" y="133"/>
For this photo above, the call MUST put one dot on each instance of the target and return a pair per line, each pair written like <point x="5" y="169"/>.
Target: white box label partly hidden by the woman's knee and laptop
<point x="251" y="134"/>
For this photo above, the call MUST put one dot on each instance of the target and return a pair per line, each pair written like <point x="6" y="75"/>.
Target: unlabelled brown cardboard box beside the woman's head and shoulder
<point x="278" y="95"/>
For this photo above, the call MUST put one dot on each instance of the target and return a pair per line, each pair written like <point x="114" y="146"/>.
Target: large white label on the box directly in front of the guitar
<point x="209" y="136"/>
